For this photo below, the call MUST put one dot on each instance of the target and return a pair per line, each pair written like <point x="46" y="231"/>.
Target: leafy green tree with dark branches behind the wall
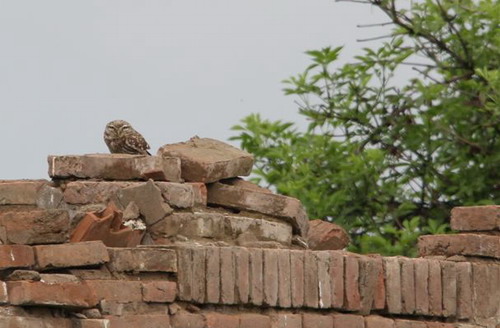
<point x="385" y="159"/>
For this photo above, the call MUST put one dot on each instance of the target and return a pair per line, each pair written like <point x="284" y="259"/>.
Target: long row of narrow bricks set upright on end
<point x="340" y="280"/>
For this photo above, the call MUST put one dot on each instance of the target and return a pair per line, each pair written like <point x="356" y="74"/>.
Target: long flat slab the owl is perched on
<point x="115" y="167"/>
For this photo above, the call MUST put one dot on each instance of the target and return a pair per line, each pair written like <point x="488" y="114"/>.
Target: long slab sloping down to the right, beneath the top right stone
<point x="288" y="208"/>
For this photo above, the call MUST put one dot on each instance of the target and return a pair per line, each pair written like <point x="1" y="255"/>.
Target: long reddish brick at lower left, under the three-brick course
<point x="67" y="294"/>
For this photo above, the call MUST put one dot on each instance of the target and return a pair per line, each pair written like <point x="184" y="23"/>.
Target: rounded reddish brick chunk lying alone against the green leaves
<point x="324" y="235"/>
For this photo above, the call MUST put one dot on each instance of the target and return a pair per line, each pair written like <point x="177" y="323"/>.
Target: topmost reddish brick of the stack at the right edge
<point x="476" y="218"/>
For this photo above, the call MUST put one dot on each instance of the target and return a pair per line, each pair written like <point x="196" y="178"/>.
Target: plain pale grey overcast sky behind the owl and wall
<point x="173" y="69"/>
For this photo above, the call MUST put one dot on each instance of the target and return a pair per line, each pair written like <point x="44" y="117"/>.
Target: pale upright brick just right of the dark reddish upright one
<point x="392" y="270"/>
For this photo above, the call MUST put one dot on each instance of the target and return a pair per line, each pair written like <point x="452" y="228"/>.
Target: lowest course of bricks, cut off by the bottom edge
<point x="219" y="320"/>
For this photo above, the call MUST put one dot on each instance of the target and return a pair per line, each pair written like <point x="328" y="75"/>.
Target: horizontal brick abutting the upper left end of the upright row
<point x="142" y="259"/>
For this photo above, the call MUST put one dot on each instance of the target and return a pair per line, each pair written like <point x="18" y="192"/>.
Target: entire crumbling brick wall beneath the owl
<point x="217" y="251"/>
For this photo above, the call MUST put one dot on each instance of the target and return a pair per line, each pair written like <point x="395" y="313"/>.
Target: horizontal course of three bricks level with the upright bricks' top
<point x="85" y="254"/>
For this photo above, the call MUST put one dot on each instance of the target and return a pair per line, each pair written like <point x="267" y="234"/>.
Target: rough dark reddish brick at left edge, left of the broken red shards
<point x="34" y="226"/>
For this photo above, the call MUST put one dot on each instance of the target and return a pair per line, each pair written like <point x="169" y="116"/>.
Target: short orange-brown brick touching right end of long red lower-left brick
<point x="116" y="290"/>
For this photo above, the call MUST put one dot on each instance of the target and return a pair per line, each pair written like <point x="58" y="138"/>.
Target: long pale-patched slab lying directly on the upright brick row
<point x="219" y="226"/>
